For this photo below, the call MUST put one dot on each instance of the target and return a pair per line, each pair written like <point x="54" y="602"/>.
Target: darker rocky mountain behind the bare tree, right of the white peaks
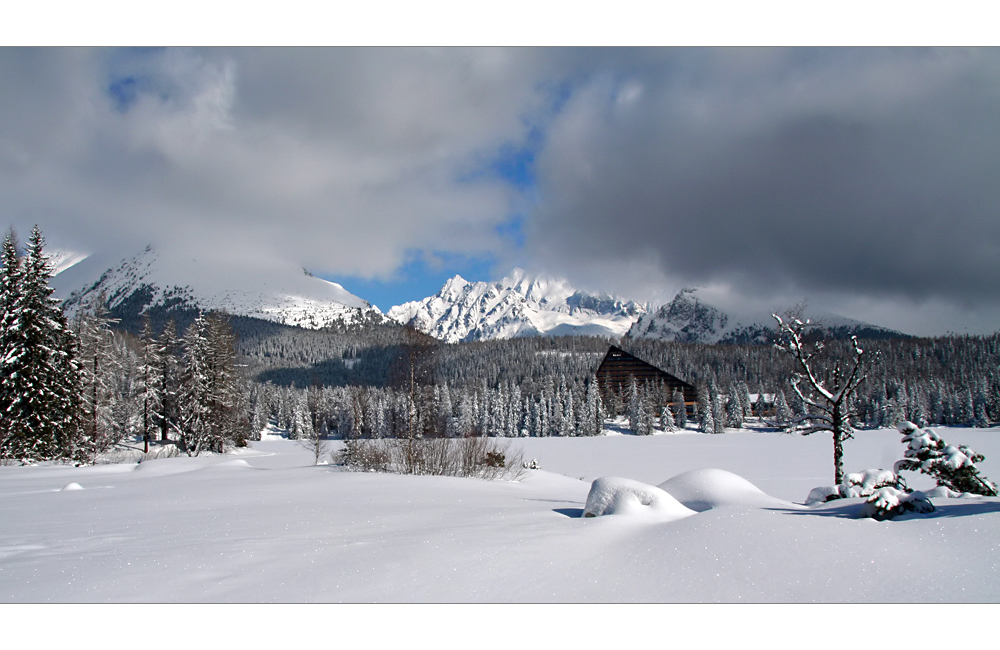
<point x="689" y="319"/>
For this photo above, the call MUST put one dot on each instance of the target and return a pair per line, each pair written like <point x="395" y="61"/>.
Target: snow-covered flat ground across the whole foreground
<point x="264" y="525"/>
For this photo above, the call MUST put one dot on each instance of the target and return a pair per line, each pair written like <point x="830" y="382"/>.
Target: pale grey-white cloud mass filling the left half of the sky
<point x="343" y="159"/>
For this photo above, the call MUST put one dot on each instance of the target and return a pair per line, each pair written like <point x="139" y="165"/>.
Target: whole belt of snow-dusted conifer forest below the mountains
<point x="212" y="381"/>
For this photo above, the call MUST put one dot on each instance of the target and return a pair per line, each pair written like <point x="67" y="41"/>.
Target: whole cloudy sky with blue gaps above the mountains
<point x="861" y="180"/>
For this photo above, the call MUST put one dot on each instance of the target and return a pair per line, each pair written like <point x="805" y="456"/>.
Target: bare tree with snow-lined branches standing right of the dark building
<point x="827" y="398"/>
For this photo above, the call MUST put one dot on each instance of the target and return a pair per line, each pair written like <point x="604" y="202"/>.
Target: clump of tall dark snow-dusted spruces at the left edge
<point x="39" y="377"/>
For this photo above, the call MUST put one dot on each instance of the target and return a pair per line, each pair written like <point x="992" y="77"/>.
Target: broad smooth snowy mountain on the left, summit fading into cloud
<point x="272" y="291"/>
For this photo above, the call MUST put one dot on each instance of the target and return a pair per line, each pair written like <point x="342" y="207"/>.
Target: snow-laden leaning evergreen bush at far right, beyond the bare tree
<point x="952" y="467"/>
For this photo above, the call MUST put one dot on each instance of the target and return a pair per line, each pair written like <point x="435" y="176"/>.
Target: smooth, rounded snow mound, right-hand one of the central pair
<point x="704" y="489"/>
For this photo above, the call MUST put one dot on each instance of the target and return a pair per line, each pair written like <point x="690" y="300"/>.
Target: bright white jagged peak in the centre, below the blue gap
<point x="519" y="305"/>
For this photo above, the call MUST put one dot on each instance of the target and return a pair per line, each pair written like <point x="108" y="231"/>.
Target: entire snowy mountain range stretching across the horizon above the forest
<point x="519" y="305"/>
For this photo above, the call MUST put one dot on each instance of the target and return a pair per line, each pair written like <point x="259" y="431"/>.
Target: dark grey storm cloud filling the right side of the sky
<point x="868" y="172"/>
